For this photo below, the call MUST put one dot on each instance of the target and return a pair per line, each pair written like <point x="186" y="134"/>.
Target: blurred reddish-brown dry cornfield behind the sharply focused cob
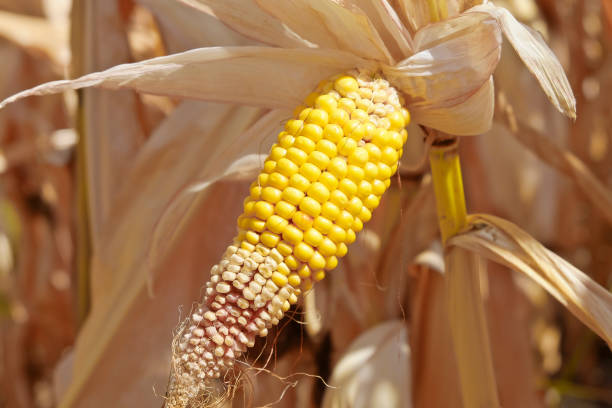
<point x="105" y="240"/>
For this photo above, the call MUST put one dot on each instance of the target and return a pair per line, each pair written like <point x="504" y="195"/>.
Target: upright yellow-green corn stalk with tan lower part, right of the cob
<point x="465" y="306"/>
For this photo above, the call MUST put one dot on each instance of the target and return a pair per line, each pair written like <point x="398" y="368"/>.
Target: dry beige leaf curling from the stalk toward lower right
<point x="505" y="243"/>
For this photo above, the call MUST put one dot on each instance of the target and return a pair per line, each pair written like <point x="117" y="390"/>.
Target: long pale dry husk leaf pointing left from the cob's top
<point x="259" y="76"/>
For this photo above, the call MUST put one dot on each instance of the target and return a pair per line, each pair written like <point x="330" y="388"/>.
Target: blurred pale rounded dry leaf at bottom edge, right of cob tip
<point x="374" y="371"/>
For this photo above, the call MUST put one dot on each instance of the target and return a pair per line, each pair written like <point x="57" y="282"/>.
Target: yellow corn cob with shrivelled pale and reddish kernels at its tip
<point x="319" y="185"/>
